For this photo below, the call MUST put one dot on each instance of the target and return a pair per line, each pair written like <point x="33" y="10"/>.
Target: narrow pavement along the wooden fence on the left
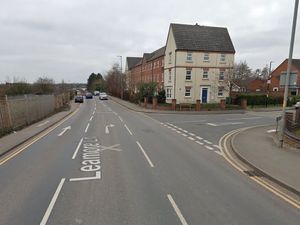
<point x="16" y="138"/>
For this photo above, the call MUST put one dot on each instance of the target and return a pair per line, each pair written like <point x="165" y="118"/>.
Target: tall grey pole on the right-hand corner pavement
<point x="287" y="78"/>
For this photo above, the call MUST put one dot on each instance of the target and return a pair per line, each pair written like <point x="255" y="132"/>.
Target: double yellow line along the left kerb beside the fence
<point x="25" y="145"/>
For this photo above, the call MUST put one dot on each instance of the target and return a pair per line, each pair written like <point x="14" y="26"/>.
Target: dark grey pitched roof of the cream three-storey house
<point x="202" y="38"/>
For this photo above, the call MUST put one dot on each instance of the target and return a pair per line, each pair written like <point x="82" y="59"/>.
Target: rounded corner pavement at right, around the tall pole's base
<point x="259" y="148"/>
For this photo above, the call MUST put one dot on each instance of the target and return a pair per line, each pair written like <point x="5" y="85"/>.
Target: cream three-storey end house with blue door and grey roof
<point x="198" y="61"/>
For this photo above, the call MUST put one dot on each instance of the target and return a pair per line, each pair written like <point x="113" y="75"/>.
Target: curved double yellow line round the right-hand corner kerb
<point x="242" y="169"/>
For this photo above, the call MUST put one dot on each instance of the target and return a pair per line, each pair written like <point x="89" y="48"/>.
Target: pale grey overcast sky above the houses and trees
<point x="69" y="39"/>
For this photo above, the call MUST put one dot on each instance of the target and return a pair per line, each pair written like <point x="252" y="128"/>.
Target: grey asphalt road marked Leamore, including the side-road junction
<point x="107" y="165"/>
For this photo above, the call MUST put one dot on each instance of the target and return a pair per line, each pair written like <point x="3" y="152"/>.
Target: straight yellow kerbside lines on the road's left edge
<point x="35" y="139"/>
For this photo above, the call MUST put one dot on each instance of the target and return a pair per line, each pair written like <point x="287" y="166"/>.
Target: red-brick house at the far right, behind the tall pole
<point x="274" y="85"/>
